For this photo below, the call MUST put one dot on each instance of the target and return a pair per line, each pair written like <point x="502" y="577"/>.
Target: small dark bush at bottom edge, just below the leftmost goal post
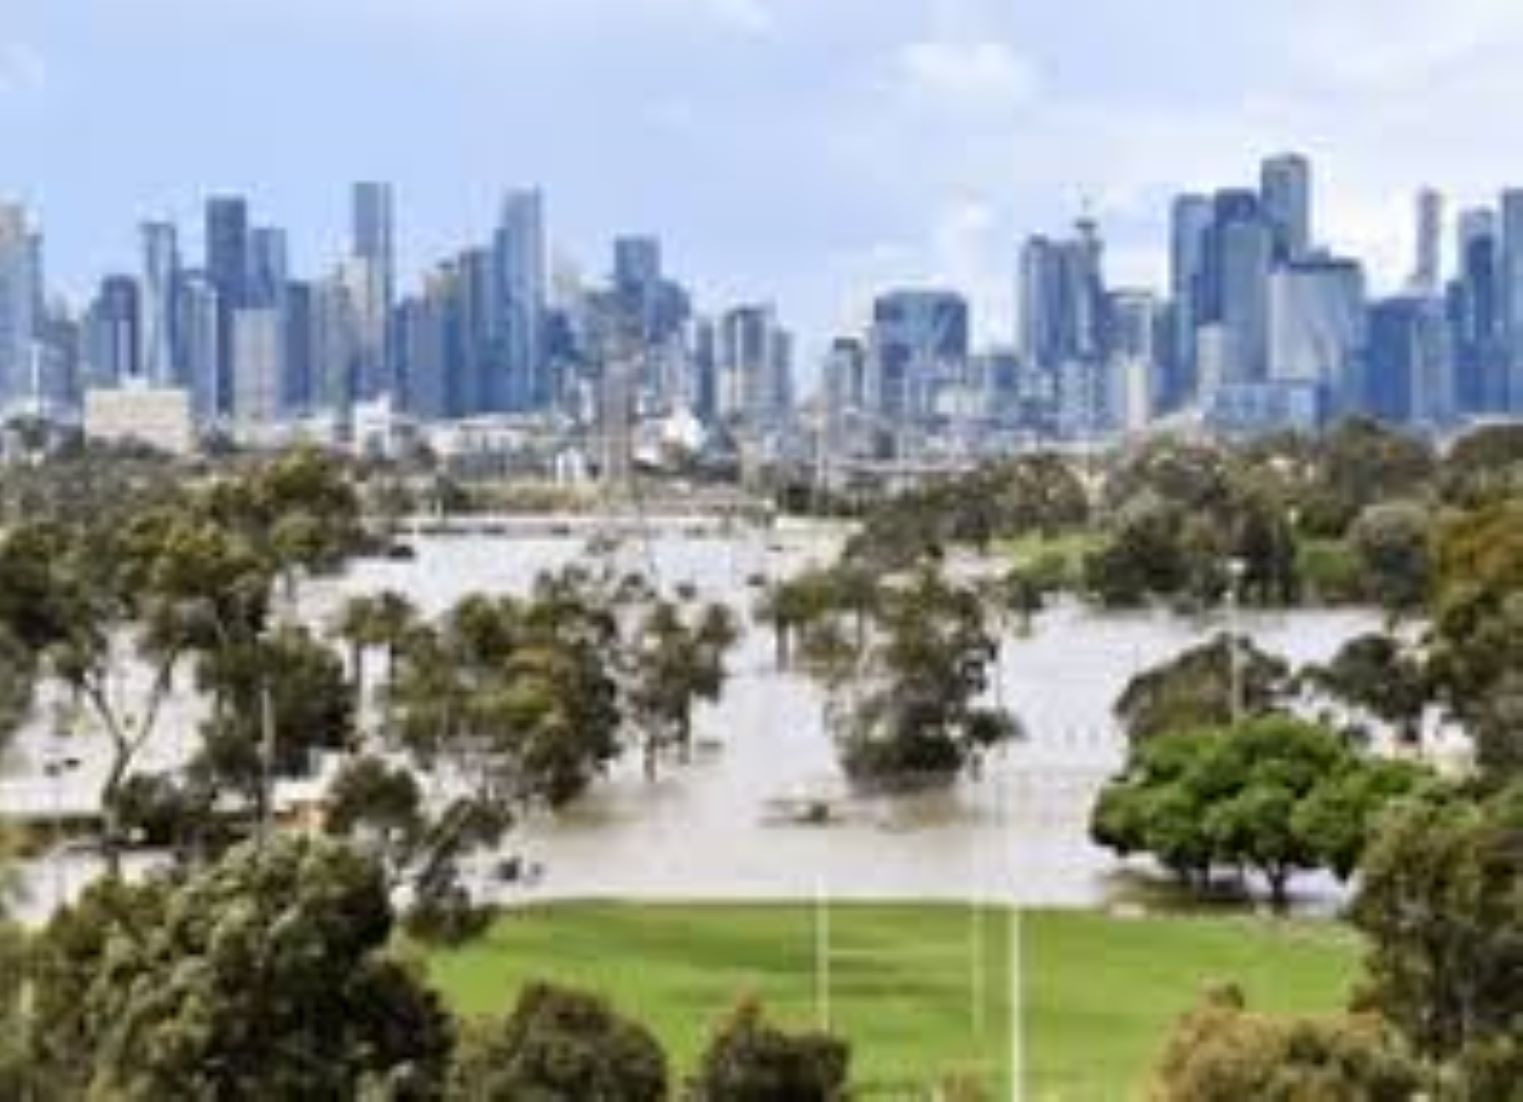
<point x="753" y="1062"/>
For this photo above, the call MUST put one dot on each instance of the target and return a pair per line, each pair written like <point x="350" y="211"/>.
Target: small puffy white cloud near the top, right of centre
<point x="968" y="77"/>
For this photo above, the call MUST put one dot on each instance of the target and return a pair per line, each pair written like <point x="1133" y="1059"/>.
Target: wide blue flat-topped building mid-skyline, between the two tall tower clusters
<point x="919" y="340"/>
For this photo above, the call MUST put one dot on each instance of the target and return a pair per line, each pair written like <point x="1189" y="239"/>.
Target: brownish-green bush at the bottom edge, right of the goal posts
<point x="1225" y="1054"/>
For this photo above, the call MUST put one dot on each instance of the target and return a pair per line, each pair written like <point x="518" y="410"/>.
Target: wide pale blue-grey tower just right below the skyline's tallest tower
<point x="1318" y="328"/>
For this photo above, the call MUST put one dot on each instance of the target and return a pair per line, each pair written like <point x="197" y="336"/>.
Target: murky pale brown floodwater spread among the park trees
<point x="721" y="826"/>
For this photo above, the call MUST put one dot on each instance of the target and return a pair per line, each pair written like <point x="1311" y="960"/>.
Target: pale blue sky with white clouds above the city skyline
<point x="808" y="153"/>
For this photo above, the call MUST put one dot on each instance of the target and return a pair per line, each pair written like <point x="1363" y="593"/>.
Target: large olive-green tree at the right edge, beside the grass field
<point x="1442" y="905"/>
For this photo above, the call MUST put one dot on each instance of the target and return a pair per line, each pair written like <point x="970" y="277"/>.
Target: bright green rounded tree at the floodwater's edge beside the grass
<point x="1274" y="795"/>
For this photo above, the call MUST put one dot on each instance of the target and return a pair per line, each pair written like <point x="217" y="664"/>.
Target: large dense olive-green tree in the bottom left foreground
<point x="264" y="976"/>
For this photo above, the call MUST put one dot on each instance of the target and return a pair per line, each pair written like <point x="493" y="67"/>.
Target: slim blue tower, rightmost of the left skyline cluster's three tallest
<point x="519" y="305"/>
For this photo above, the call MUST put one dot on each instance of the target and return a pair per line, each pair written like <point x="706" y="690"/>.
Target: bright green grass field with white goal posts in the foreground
<point x="922" y="992"/>
